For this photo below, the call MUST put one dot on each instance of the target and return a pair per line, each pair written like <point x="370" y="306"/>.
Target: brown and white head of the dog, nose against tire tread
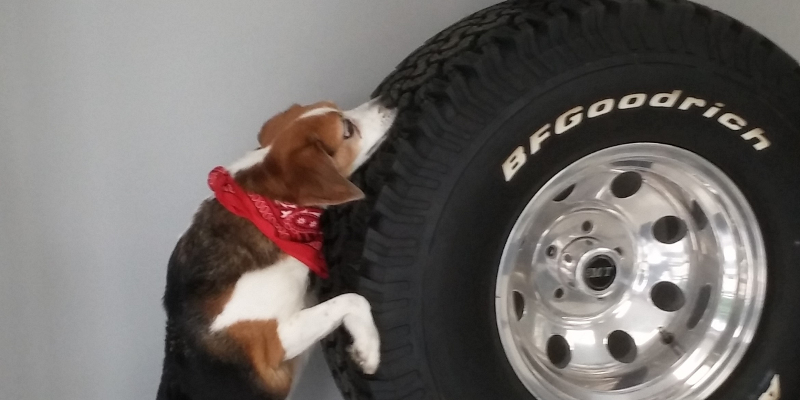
<point x="309" y="151"/>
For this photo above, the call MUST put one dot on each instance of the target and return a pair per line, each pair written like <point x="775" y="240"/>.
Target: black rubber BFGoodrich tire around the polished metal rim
<point x="445" y="191"/>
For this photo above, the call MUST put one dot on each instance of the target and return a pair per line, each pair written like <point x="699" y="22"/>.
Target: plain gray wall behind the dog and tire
<point x="111" y="114"/>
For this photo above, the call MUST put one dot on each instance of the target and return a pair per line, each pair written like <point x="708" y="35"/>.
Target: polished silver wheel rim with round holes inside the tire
<point x="638" y="272"/>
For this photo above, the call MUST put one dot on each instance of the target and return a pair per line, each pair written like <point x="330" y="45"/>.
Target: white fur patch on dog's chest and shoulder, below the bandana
<point x="274" y="292"/>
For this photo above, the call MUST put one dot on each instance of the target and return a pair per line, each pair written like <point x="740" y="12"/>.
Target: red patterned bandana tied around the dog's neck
<point x="293" y="228"/>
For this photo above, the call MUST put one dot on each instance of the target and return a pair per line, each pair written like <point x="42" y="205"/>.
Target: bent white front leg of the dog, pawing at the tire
<point x="301" y="330"/>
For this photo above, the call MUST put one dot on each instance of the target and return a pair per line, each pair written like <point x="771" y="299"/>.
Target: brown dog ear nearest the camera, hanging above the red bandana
<point x="317" y="181"/>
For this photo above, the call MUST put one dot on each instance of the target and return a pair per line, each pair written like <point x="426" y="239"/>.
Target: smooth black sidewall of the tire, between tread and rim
<point x="479" y="207"/>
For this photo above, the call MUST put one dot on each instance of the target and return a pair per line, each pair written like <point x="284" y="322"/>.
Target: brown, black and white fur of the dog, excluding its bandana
<point x="238" y="315"/>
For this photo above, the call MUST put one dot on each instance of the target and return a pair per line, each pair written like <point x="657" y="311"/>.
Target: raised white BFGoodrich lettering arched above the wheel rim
<point x="667" y="100"/>
